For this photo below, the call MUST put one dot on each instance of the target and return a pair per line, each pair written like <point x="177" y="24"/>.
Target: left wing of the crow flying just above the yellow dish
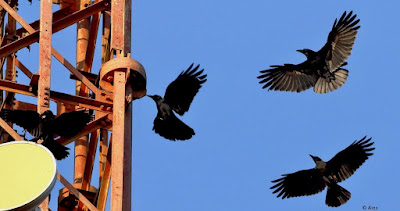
<point x="29" y="120"/>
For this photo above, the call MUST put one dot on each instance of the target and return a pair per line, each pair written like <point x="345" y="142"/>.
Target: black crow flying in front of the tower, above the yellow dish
<point x="44" y="126"/>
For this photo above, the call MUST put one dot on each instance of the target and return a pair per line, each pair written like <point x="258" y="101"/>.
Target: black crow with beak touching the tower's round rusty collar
<point x="178" y="97"/>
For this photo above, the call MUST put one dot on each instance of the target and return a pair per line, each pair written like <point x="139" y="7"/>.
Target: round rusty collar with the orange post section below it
<point x="120" y="75"/>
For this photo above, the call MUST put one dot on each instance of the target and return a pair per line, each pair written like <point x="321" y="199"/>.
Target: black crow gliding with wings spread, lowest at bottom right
<point x="313" y="181"/>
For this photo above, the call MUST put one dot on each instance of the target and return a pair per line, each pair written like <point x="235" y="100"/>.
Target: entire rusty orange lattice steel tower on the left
<point x="109" y="93"/>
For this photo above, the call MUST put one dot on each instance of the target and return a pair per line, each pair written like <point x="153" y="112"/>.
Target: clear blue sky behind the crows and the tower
<point x="247" y="136"/>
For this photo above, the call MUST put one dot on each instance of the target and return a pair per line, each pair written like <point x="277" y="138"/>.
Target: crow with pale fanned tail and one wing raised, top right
<point x="322" y="69"/>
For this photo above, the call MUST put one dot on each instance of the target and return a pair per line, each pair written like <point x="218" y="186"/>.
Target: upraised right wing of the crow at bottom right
<point x="347" y="161"/>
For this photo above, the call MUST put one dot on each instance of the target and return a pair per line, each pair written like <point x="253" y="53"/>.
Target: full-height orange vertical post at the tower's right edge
<point x="121" y="172"/>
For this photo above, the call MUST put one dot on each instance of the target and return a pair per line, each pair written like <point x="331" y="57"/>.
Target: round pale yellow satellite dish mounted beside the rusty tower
<point x="28" y="174"/>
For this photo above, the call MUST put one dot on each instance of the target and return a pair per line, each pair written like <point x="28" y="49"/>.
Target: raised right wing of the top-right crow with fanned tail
<point x="340" y="40"/>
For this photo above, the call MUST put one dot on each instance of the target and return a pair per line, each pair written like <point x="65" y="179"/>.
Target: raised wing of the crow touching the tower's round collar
<point x="180" y="93"/>
